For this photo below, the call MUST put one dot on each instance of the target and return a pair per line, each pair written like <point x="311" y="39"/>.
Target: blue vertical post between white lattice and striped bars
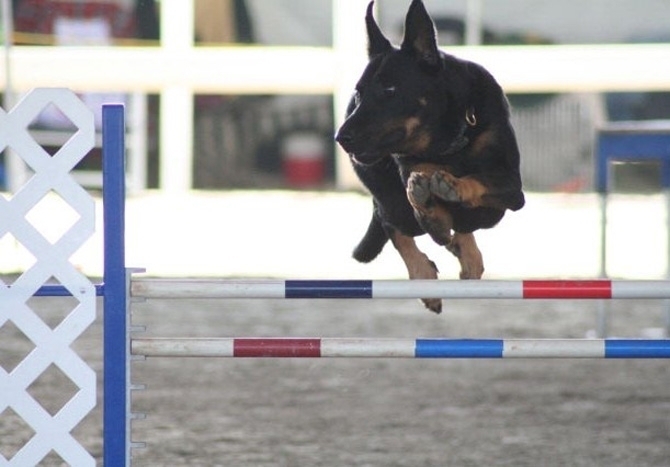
<point x="115" y="418"/>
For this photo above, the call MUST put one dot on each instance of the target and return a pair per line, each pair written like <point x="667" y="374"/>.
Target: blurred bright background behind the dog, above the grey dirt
<point x="229" y="95"/>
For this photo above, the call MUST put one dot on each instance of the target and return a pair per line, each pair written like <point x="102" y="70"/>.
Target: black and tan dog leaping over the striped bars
<point x="429" y="135"/>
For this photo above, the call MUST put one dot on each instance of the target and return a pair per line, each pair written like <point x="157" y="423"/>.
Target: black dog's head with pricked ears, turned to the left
<point x="404" y="101"/>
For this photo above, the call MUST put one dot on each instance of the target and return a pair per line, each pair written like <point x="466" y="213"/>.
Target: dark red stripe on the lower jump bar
<point x="282" y="348"/>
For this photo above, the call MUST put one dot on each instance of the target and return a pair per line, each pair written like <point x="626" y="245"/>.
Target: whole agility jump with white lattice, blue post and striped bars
<point x="119" y="287"/>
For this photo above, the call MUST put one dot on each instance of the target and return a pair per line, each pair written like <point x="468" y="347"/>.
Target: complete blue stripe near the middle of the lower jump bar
<point x="459" y="348"/>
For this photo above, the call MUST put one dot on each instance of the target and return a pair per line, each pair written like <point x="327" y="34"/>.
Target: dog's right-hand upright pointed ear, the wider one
<point x="420" y="34"/>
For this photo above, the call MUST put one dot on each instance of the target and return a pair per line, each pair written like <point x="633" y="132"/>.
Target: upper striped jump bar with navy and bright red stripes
<point x="454" y="289"/>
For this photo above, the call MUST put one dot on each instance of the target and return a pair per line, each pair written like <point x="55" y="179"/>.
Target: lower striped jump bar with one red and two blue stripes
<point x="400" y="348"/>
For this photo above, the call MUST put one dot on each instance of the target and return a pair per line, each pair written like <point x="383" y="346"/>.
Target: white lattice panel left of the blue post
<point x="51" y="178"/>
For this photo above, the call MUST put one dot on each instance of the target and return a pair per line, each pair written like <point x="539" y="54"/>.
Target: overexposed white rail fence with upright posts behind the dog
<point x="178" y="69"/>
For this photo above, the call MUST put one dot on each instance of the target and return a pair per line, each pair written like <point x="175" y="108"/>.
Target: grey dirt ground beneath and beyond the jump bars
<point x="383" y="412"/>
